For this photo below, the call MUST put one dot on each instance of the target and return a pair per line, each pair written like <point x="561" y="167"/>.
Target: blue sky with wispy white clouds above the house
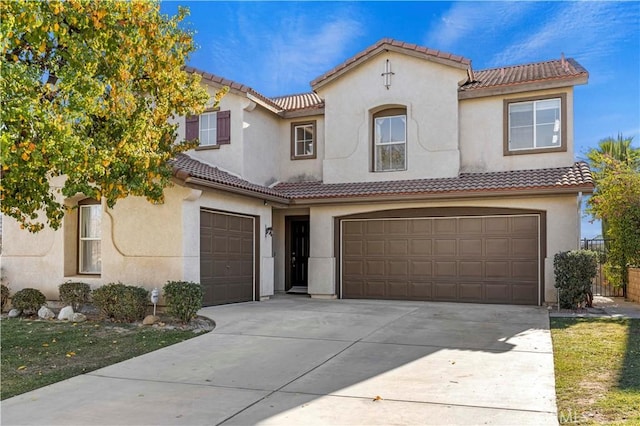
<point x="277" y="48"/>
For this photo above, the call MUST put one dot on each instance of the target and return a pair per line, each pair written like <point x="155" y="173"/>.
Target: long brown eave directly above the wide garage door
<point x="548" y="191"/>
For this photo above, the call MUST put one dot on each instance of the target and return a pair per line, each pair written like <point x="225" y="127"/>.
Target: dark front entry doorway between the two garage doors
<point x="297" y="254"/>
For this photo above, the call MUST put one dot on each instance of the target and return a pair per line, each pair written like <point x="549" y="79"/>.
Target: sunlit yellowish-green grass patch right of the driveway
<point x="597" y="367"/>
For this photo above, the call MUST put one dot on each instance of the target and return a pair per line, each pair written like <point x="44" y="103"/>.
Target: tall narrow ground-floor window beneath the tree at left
<point x="90" y="237"/>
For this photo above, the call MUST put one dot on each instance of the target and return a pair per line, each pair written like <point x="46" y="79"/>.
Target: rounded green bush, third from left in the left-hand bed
<point x="121" y="302"/>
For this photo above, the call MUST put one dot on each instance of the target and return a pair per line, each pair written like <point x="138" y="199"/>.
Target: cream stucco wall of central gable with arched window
<point x="428" y="91"/>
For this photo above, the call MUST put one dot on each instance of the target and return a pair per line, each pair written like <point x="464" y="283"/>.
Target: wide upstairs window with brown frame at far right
<point x="535" y="125"/>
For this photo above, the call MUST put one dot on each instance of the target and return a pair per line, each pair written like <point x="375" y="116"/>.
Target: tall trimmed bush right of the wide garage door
<point x="574" y="272"/>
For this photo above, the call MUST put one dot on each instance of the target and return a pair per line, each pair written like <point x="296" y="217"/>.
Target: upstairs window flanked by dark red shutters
<point x="212" y="129"/>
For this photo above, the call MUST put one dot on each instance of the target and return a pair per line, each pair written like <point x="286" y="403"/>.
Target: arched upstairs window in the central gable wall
<point x="390" y="140"/>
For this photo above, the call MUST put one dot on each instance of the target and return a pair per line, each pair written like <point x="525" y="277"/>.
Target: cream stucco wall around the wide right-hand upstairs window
<point x="482" y="136"/>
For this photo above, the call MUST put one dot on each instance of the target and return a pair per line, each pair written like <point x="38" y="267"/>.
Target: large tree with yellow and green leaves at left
<point x="87" y="91"/>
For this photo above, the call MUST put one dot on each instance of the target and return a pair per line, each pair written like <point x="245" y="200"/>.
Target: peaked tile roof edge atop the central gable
<point x="391" y="44"/>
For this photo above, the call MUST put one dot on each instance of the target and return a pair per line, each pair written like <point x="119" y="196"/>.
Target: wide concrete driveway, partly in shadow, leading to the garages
<point x="298" y="361"/>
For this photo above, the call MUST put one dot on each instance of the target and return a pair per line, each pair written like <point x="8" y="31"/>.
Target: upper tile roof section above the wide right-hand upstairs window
<point x="560" y="69"/>
